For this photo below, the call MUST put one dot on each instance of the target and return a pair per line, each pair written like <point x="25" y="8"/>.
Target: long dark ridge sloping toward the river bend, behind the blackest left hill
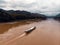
<point x="25" y="15"/>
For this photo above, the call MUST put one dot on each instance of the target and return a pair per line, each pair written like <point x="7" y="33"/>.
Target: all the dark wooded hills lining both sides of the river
<point x="16" y="15"/>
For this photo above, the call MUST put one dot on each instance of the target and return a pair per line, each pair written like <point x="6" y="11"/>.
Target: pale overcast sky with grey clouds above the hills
<point x="47" y="7"/>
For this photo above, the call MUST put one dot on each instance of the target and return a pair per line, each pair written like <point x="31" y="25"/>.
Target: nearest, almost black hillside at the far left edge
<point x="4" y="16"/>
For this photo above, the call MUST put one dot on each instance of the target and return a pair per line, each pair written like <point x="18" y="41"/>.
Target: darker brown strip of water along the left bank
<point x="4" y="27"/>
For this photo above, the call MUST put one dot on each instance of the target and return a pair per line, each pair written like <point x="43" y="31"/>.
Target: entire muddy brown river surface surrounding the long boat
<point x="46" y="33"/>
